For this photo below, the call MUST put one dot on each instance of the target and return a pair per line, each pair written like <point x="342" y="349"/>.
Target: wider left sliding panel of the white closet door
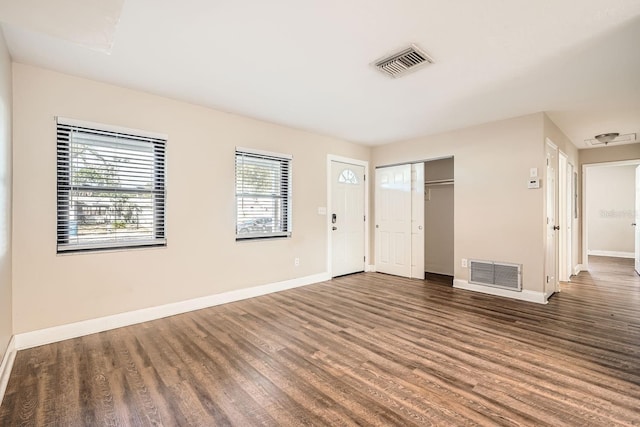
<point x="393" y="220"/>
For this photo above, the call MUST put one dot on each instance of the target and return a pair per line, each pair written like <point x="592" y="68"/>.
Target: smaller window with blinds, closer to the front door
<point x="263" y="194"/>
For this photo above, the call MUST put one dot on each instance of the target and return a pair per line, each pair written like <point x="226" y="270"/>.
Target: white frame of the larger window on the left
<point x="156" y="145"/>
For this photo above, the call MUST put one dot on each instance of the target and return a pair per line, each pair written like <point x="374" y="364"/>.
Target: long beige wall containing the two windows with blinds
<point x="202" y="257"/>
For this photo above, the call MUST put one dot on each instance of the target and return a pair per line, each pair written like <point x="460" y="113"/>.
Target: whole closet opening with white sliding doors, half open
<point x="414" y="219"/>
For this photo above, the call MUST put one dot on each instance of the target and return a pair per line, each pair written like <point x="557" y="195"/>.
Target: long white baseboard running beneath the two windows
<point x="92" y="326"/>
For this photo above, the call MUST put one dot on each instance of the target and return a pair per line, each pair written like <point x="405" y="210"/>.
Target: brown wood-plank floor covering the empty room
<point x="366" y="349"/>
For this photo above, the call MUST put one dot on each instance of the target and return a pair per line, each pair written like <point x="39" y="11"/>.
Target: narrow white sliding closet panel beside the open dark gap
<point x="417" y="220"/>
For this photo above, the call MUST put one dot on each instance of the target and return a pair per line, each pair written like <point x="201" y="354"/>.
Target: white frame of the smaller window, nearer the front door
<point x="285" y="162"/>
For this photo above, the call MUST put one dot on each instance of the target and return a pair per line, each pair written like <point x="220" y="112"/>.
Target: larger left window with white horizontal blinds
<point x="111" y="189"/>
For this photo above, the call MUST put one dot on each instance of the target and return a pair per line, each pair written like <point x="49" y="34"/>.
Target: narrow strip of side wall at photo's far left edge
<point x="6" y="328"/>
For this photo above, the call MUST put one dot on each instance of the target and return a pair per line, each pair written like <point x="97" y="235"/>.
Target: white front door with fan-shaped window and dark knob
<point x="347" y="218"/>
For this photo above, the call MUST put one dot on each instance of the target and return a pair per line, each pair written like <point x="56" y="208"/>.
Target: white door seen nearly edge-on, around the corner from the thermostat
<point x="551" y="258"/>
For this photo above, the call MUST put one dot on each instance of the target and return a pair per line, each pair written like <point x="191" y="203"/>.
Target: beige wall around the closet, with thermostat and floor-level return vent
<point x="496" y="216"/>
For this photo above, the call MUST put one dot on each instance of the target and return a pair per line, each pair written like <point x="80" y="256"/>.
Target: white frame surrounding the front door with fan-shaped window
<point x="334" y="158"/>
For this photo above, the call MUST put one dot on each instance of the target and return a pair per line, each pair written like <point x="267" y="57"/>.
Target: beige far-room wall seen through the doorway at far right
<point x="610" y="199"/>
